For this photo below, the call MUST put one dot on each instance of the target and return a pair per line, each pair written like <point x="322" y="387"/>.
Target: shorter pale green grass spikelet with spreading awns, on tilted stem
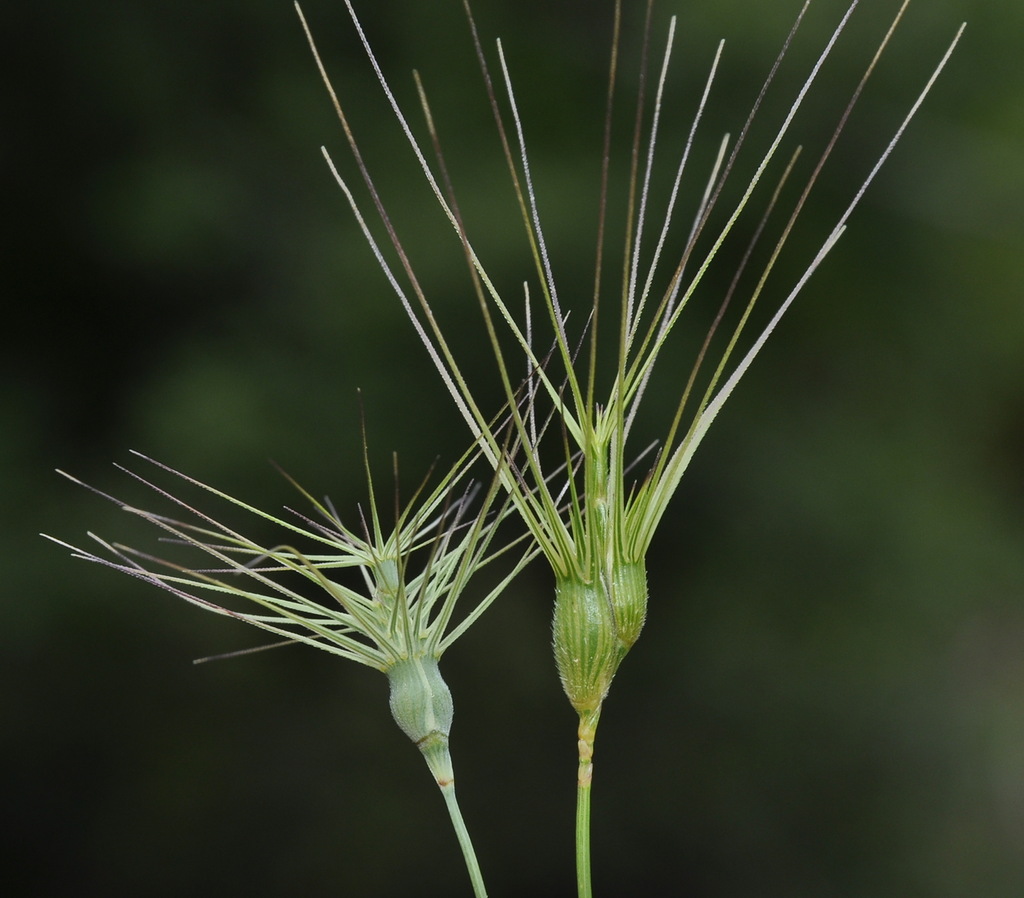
<point x="401" y="622"/>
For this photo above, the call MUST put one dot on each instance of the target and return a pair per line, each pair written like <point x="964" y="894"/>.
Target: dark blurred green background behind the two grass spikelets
<point x="829" y="697"/>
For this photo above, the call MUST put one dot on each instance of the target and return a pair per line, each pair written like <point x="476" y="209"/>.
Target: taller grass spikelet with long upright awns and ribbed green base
<point x="596" y="543"/>
